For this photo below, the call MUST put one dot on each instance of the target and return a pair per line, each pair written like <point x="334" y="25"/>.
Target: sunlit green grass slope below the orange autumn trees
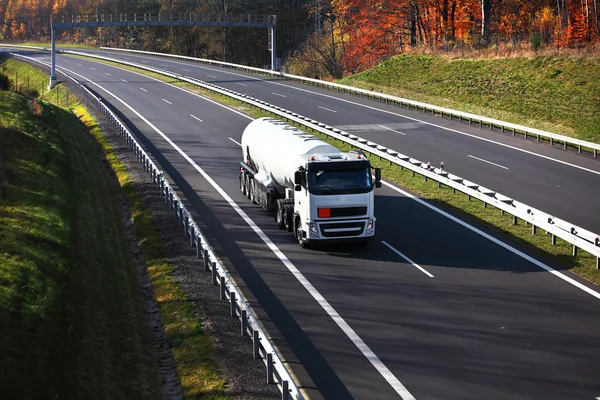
<point x="557" y="94"/>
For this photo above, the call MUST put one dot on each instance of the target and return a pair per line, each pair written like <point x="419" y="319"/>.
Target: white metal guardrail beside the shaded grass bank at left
<point x="262" y="348"/>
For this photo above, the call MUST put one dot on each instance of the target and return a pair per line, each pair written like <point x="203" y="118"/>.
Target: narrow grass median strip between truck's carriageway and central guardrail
<point x="559" y="255"/>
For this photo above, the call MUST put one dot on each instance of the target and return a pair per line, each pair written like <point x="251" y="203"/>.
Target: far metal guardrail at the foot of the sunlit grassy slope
<point x="581" y="145"/>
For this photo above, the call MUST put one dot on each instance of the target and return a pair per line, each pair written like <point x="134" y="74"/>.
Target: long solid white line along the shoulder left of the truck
<point x="333" y="314"/>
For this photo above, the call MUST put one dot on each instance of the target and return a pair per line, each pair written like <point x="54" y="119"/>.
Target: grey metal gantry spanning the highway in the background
<point x="160" y="19"/>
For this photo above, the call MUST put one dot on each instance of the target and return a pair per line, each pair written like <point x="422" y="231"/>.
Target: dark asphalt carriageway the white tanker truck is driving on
<point x="489" y="324"/>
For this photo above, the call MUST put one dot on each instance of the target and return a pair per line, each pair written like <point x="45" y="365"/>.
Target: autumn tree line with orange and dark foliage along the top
<point x="323" y="37"/>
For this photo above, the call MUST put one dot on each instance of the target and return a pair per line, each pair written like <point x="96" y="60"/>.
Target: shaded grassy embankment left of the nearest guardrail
<point x="69" y="310"/>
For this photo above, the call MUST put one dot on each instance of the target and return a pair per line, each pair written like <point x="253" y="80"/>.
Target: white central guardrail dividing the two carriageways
<point x="580" y="238"/>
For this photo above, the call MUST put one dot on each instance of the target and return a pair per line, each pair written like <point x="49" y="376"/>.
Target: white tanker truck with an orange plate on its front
<point x="314" y="190"/>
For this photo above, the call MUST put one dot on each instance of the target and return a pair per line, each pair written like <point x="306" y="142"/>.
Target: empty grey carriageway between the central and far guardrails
<point x="563" y="190"/>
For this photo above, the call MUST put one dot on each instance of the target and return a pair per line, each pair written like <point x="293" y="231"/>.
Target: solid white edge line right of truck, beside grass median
<point x="498" y="242"/>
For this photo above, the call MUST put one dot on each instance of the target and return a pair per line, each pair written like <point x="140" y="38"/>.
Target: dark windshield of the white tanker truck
<point x="340" y="182"/>
